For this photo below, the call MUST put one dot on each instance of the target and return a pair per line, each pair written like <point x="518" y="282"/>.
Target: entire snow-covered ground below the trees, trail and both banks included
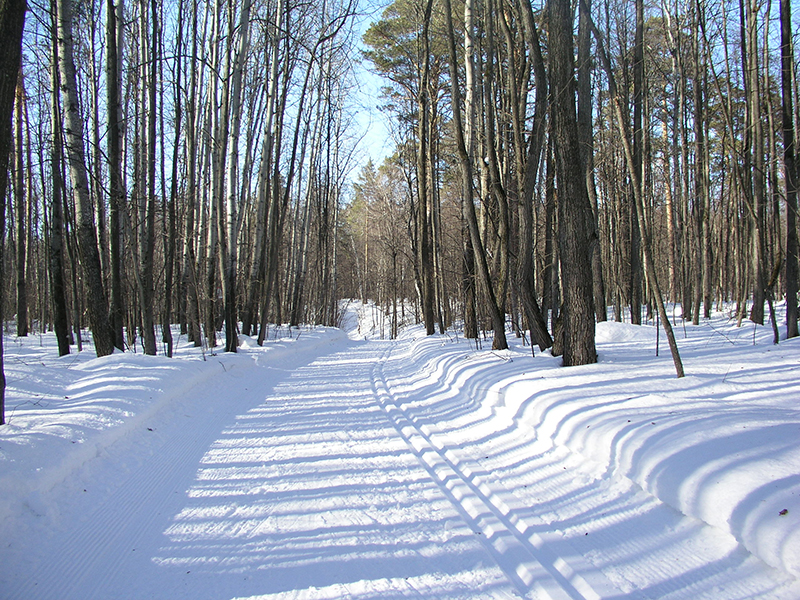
<point x="332" y="464"/>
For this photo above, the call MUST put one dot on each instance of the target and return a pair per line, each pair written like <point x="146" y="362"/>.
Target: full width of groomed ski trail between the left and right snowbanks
<point x="366" y="473"/>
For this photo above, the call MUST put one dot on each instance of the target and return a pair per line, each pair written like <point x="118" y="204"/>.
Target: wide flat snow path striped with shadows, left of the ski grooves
<point x="262" y="483"/>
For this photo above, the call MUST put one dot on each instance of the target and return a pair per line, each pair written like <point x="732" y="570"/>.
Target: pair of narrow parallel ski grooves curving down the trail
<point x="492" y="512"/>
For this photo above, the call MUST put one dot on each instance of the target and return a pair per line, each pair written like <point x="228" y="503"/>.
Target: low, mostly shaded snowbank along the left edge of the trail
<point x="63" y="412"/>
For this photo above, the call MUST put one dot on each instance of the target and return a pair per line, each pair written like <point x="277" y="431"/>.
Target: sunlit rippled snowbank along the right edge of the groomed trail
<point x="721" y="445"/>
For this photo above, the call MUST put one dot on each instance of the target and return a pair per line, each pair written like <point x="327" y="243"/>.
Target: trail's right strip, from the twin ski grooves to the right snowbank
<point x="592" y="538"/>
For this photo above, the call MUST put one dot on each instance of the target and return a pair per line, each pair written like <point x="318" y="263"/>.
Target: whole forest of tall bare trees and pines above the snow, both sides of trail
<point x="197" y="164"/>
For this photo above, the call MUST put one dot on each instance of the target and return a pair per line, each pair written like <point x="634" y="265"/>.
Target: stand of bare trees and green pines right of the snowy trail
<point x="690" y="212"/>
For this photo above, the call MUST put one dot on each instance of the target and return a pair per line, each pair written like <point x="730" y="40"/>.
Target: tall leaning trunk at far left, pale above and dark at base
<point x="87" y="238"/>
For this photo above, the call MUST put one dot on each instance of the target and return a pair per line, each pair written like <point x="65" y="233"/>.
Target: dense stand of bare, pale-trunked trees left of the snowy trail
<point x="198" y="182"/>
